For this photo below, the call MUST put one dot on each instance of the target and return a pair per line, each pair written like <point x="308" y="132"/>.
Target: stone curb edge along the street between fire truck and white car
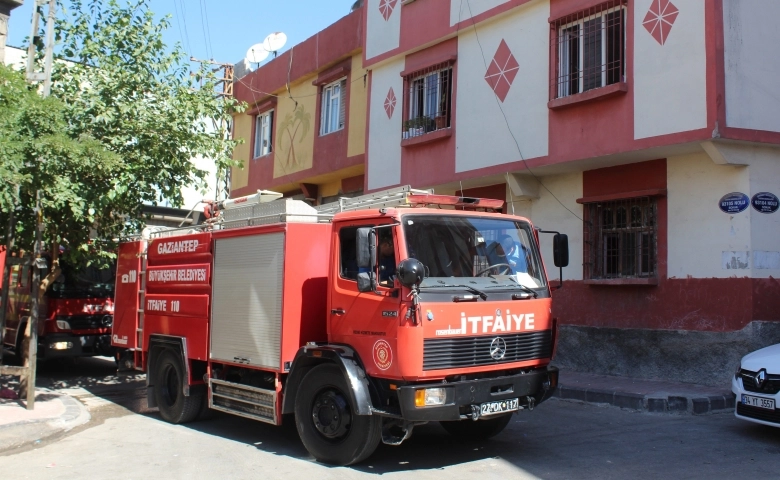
<point x="653" y="403"/>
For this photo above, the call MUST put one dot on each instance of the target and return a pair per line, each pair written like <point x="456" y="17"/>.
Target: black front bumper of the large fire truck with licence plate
<point x="462" y="399"/>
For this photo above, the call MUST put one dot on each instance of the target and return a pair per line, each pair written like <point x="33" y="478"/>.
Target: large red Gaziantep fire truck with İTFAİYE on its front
<point x="363" y="319"/>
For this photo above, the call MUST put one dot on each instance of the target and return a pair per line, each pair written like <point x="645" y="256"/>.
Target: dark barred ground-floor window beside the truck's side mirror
<point x="622" y="238"/>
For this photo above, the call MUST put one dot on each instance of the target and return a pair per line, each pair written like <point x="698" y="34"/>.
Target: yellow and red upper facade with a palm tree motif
<point x="304" y="132"/>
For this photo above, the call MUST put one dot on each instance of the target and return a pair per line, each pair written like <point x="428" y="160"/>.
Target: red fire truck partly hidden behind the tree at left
<point x="75" y="314"/>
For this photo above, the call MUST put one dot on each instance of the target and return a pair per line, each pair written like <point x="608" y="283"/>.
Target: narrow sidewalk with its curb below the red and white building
<point x="643" y="395"/>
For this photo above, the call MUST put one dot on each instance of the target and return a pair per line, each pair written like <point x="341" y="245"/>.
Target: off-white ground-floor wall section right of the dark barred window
<point x="698" y="231"/>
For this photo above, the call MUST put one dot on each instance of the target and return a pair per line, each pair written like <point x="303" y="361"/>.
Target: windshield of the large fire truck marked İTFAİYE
<point x="490" y="252"/>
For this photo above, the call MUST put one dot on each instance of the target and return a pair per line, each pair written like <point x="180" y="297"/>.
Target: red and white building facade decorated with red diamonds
<point x="646" y="130"/>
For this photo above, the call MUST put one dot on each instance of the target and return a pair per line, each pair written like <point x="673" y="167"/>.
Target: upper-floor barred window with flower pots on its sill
<point x="429" y="100"/>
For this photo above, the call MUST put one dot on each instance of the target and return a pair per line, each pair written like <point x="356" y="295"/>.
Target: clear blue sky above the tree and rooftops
<point x="227" y="29"/>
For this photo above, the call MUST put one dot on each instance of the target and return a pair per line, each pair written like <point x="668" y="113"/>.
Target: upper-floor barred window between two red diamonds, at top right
<point x="590" y="49"/>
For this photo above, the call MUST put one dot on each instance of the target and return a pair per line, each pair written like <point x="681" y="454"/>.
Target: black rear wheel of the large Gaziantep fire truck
<point x="169" y="380"/>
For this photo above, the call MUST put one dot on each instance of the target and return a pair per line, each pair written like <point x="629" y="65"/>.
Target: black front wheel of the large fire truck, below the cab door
<point x="326" y="420"/>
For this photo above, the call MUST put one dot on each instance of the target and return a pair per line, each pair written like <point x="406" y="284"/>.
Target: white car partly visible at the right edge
<point x="756" y="384"/>
